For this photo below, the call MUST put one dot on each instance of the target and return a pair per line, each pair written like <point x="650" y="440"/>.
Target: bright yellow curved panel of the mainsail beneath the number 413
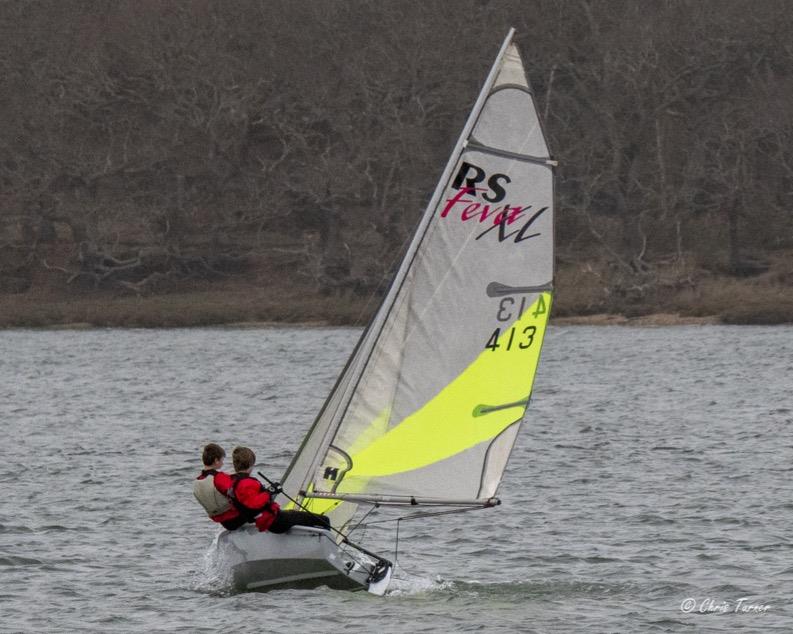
<point x="487" y="397"/>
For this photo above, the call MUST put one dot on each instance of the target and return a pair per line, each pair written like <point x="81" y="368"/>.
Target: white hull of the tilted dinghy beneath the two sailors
<point x="304" y="557"/>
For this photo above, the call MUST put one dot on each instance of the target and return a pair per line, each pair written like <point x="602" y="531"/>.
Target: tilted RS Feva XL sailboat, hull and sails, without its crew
<point x="428" y="407"/>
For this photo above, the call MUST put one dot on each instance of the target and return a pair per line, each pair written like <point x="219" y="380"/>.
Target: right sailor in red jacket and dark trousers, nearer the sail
<point x="255" y="503"/>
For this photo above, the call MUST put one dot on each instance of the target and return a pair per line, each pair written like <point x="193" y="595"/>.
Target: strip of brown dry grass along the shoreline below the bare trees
<point x="578" y="301"/>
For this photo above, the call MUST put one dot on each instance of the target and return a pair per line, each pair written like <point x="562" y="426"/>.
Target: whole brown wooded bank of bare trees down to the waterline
<point x="202" y="162"/>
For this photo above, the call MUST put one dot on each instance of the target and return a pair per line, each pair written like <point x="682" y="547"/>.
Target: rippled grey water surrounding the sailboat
<point x="655" y="468"/>
